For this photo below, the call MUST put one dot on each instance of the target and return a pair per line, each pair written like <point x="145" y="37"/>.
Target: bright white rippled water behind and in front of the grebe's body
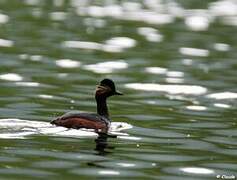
<point x="20" y="129"/>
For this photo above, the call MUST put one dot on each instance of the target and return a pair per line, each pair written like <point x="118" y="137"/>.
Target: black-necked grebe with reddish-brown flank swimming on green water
<point x="100" y="122"/>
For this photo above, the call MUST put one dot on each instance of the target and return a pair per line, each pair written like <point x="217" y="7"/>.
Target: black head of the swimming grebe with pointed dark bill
<point x="106" y="88"/>
